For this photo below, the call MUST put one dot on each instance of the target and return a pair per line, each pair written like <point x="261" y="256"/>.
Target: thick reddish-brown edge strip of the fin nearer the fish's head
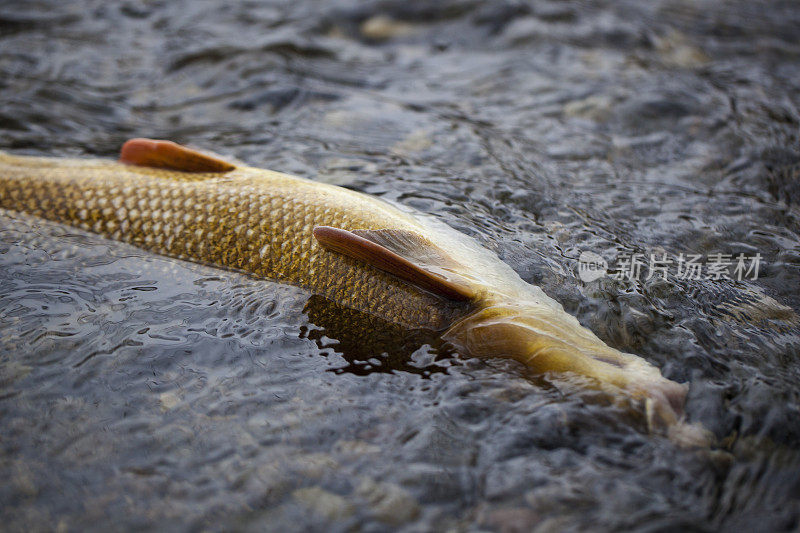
<point x="376" y="254"/>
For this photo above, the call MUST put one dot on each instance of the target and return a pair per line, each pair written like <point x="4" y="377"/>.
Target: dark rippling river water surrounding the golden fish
<point x="142" y="392"/>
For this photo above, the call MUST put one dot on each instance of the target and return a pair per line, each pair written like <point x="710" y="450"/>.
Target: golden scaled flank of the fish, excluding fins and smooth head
<point x="248" y="219"/>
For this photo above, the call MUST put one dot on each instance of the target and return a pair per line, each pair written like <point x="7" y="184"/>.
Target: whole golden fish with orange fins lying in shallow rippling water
<point x="355" y="250"/>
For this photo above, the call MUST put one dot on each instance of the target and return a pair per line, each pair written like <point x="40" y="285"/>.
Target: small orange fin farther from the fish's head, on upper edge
<point x="171" y="156"/>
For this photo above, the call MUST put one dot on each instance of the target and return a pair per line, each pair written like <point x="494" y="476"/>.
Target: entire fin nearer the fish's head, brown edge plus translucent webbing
<point x="373" y="247"/>
